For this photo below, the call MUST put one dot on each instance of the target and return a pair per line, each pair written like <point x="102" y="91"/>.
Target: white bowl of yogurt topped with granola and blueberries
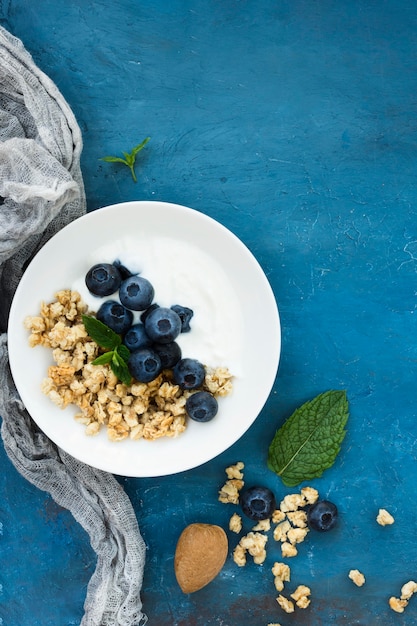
<point x="194" y="264"/>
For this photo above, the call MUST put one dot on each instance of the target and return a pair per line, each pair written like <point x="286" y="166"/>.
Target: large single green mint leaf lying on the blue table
<point x="309" y="441"/>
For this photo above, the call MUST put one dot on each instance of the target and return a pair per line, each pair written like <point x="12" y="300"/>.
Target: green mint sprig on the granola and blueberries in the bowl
<point x="117" y="354"/>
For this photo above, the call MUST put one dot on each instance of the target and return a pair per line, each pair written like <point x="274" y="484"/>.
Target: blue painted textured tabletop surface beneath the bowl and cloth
<point x="294" y="124"/>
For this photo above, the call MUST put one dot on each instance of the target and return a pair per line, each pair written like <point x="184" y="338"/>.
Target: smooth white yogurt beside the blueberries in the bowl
<point x="182" y="274"/>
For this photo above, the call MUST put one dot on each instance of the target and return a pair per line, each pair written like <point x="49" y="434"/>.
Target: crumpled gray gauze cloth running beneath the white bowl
<point x="41" y="190"/>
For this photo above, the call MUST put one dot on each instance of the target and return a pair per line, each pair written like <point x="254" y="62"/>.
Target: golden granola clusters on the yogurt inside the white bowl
<point x="138" y="411"/>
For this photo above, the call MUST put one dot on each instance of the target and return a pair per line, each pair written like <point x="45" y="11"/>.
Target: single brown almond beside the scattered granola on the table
<point x="200" y="555"/>
